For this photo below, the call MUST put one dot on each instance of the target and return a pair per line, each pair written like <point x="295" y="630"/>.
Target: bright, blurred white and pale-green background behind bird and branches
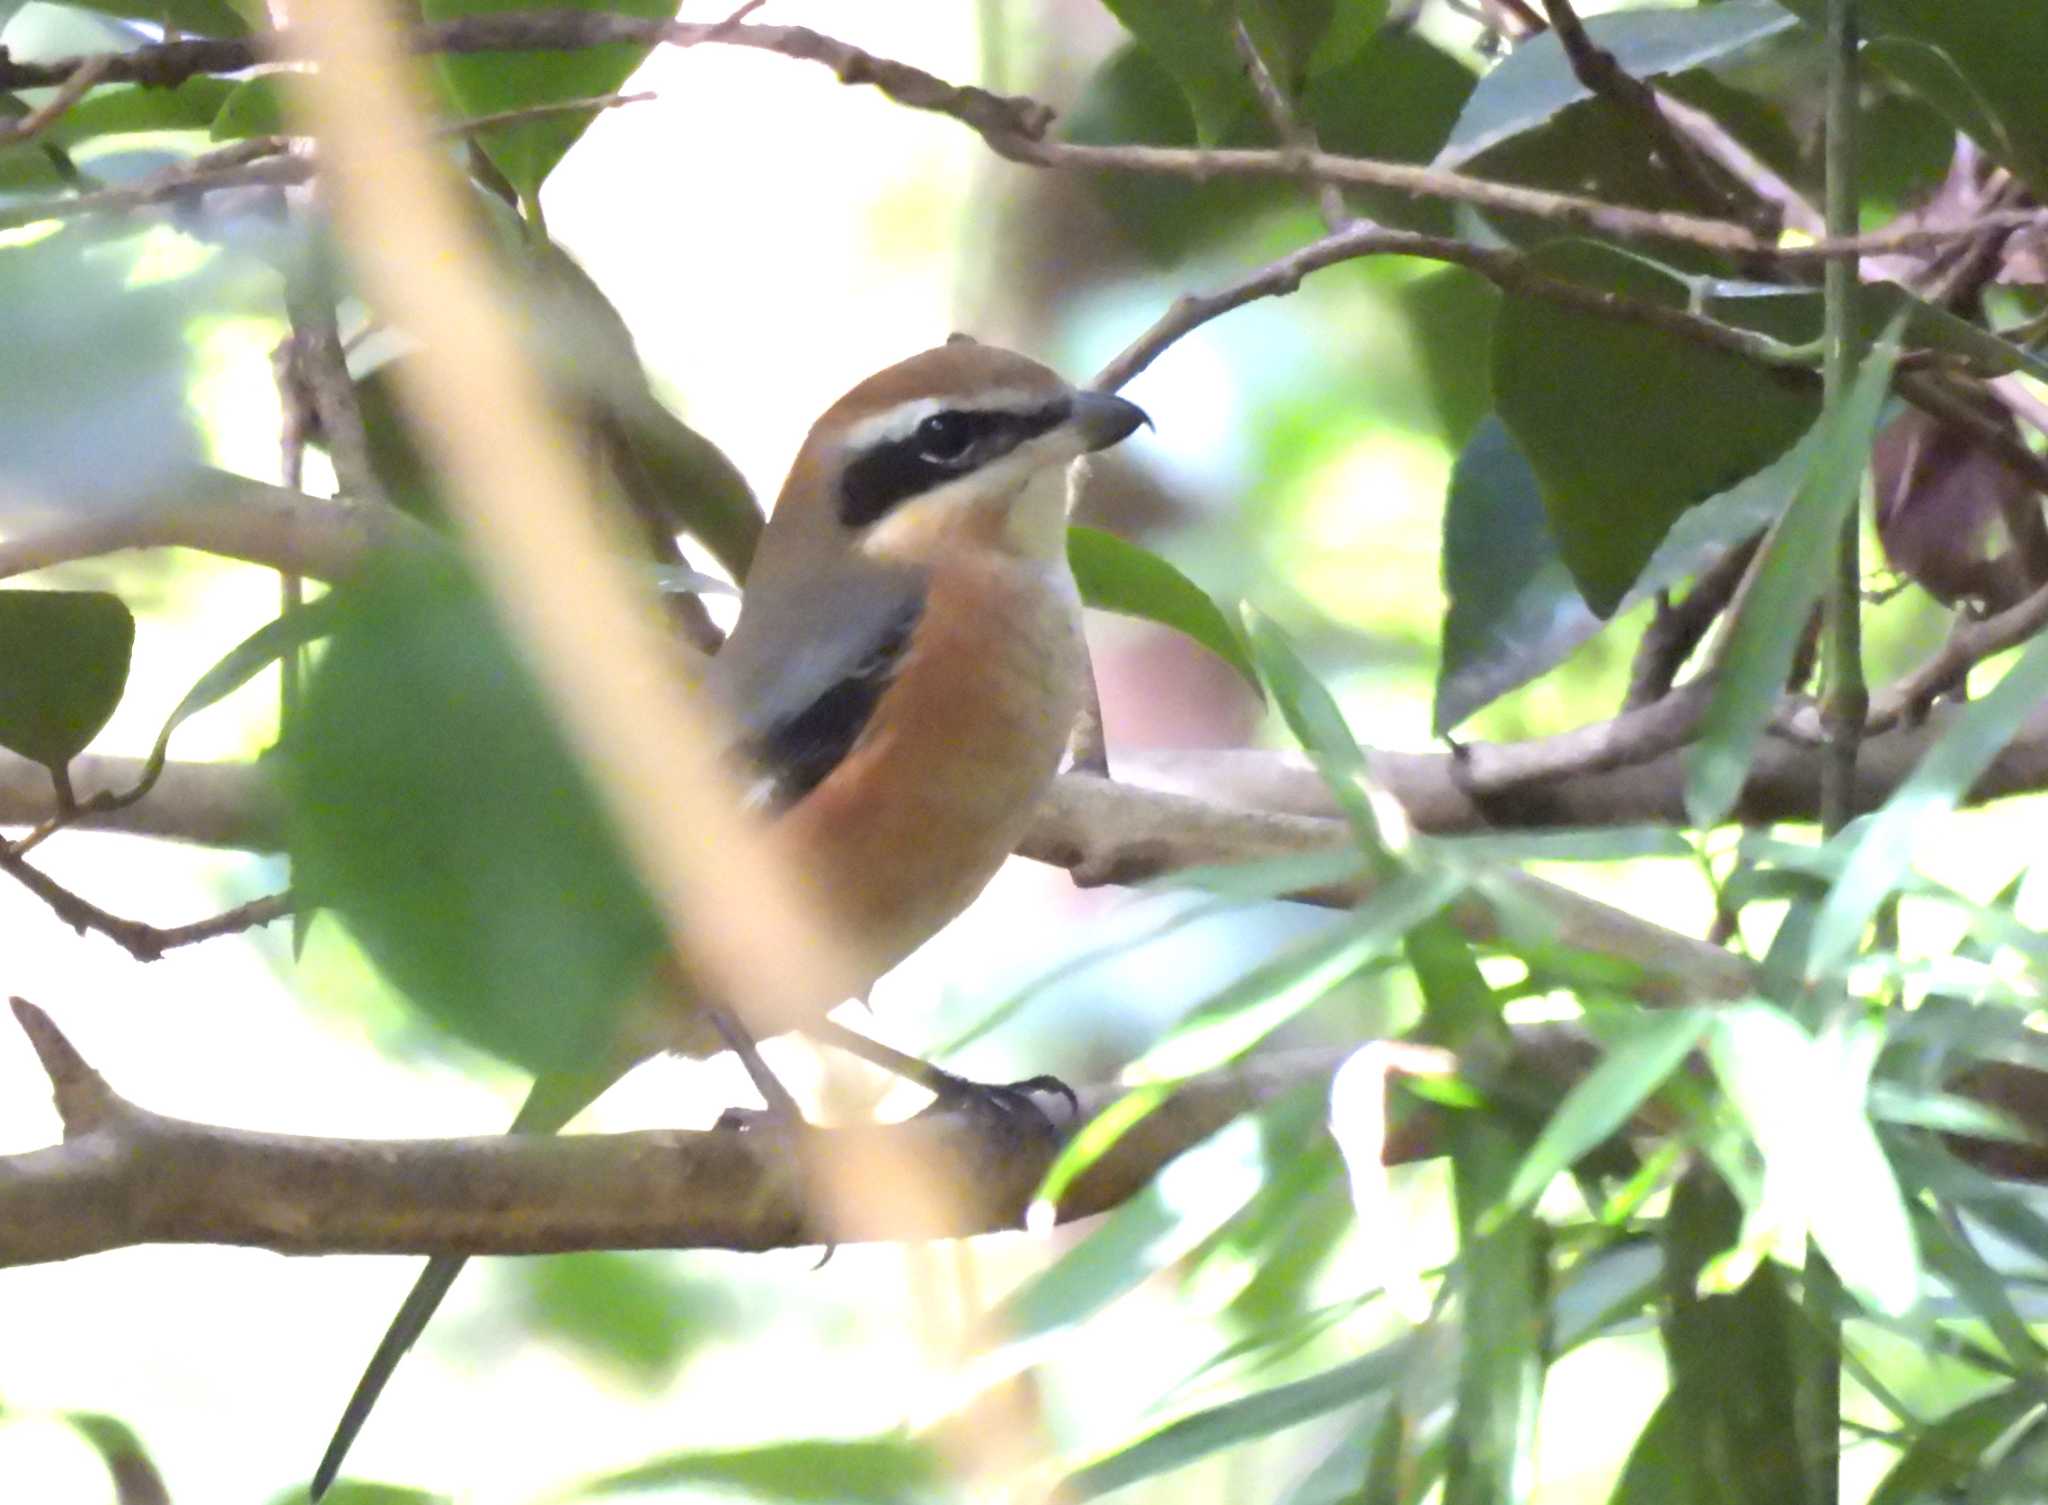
<point x="771" y="236"/>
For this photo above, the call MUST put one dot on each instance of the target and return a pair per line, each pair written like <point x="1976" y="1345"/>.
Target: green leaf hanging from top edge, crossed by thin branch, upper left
<point x="493" y="83"/>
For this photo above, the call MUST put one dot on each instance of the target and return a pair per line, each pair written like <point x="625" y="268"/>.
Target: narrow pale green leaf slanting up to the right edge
<point x="1885" y="843"/>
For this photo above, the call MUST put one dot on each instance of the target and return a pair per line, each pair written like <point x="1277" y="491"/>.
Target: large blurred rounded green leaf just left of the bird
<point x="435" y="808"/>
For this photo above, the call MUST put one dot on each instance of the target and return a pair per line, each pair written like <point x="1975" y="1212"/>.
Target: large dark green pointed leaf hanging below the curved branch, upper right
<point x="1584" y="423"/>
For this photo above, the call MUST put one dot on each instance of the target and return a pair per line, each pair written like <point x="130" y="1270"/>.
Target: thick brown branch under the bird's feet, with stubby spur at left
<point x="128" y="1176"/>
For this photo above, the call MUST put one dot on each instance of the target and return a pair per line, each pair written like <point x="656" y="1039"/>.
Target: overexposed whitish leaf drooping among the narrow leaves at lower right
<point x="1803" y="1101"/>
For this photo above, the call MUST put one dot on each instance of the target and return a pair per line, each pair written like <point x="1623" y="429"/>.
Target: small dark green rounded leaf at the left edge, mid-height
<point x="65" y="658"/>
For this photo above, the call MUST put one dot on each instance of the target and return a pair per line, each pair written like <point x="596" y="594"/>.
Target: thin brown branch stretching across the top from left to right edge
<point x="1013" y="126"/>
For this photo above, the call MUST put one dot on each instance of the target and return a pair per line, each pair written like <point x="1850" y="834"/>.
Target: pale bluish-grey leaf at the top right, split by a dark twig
<point x="1535" y="81"/>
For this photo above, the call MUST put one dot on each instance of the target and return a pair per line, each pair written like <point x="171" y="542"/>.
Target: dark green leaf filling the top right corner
<point x="1998" y="52"/>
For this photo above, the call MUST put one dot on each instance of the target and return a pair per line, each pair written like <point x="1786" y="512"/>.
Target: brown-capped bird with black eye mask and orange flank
<point x="900" y="685"/>
